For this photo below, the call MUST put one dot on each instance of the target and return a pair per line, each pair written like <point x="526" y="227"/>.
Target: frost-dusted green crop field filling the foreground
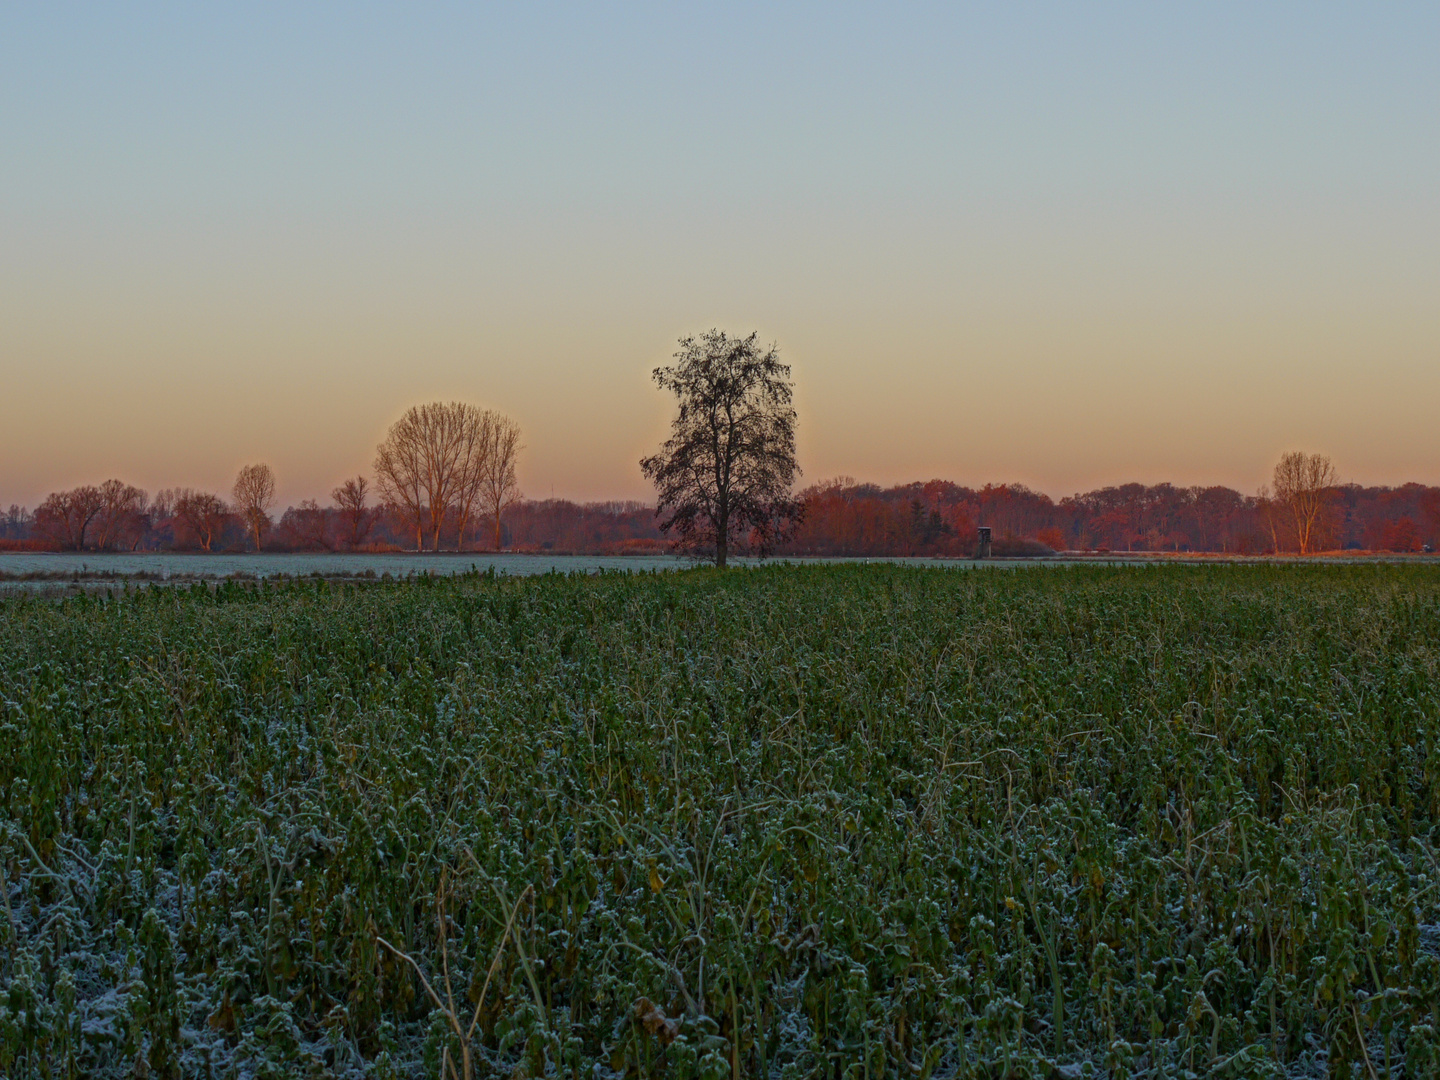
<point x="833" y="822"/>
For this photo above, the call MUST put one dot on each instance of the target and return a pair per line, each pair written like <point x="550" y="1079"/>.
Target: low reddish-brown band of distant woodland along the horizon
<point x="842" y="518"/>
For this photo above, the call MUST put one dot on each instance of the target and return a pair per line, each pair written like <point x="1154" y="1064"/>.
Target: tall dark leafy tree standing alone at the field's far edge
<point x="725" y="474"/>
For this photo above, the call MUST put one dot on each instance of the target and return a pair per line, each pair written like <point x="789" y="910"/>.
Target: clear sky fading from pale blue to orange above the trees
<point x="1066" y="246"/>
